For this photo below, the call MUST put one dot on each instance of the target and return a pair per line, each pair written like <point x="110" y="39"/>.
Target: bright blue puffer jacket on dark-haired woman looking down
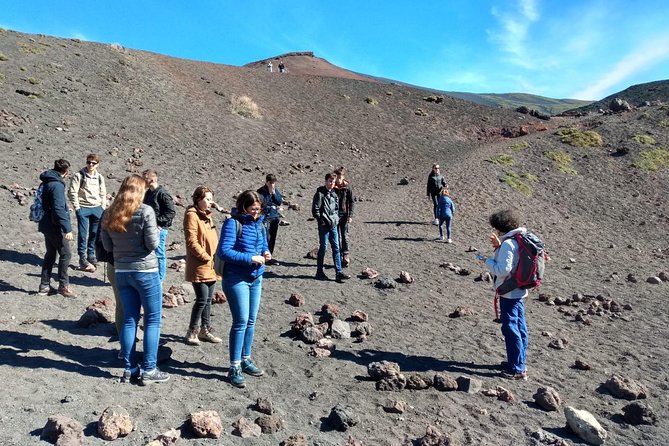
<point x="237" y="252"/>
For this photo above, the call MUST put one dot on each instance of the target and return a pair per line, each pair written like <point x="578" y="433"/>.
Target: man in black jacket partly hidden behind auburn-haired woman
<point x="163" y="205"/>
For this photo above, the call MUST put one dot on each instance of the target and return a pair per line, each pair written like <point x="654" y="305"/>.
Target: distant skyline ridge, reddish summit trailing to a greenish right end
<point x="305" y="63"/>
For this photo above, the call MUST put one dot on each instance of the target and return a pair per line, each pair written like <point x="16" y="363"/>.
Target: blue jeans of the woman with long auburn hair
<point x="137" y="290"/>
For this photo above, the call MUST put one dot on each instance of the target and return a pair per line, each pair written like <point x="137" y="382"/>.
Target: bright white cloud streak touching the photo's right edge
<point x="652" y="52"/>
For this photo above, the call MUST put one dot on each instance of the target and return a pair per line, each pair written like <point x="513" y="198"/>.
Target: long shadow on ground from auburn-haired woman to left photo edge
<point x="18" y="350"/>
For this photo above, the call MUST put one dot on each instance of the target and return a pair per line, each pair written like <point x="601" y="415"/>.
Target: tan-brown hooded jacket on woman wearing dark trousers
<point x="201" y="243"/>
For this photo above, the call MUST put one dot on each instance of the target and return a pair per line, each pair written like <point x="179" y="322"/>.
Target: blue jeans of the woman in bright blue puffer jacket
<point x="244" y="301"/>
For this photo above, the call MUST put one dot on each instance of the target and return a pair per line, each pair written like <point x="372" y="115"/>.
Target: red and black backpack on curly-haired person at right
<point x="531" y="264"/>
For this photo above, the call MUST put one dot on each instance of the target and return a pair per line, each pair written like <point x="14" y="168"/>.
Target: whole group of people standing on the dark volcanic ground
<point x="130" y="235"/>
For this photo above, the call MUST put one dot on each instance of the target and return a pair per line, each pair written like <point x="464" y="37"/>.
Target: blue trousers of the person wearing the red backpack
<point x="514" y="329"/>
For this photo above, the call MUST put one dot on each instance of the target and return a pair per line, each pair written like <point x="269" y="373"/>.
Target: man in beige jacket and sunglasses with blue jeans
<point x="88" y="195"/>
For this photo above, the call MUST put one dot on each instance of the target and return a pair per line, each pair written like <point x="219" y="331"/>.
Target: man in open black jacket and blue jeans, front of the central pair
<point x="325" y="210"/>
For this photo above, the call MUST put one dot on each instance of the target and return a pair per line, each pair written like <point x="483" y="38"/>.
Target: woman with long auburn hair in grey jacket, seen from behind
<point x="129" y="230"/>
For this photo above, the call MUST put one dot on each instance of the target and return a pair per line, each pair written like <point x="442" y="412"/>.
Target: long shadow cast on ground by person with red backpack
<point x="413" y="363"/>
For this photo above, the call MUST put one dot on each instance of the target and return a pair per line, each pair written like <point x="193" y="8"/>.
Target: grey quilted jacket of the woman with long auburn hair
<point x="134" y="249"/>
